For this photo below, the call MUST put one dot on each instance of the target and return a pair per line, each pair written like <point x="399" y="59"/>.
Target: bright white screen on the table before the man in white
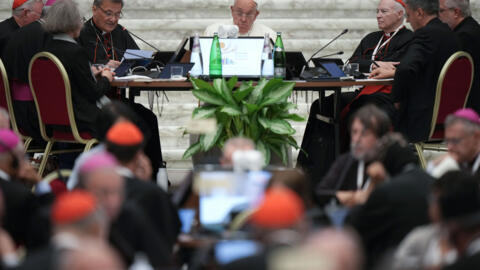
<point x="240" y="56"/>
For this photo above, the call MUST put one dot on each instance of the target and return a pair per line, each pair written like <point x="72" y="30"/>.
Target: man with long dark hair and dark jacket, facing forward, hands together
<point x="348" y="172"/>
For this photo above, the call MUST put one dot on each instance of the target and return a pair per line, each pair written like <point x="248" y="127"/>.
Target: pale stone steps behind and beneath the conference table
<point x="306" y="26"/>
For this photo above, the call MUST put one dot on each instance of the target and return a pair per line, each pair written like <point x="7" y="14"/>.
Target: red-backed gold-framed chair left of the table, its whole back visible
<point x="51" y="90"/>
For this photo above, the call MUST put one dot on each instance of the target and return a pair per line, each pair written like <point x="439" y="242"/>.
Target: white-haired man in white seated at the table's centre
<point x="244" y="14"/>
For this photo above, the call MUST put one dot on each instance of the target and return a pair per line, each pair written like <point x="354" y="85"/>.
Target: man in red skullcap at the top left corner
<point x="23" y="13"/>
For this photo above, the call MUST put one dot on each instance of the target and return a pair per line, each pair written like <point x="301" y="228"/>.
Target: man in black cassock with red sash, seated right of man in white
<point x="385" y="46"/>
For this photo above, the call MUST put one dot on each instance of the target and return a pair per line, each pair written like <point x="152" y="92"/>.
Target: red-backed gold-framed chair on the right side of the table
<point x="453" y="88"/>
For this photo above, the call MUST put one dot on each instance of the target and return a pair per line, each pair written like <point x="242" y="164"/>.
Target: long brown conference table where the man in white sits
<point x="137" y="86"/>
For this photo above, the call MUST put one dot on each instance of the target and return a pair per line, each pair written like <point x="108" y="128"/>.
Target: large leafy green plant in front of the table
<point x="259" y="112"/>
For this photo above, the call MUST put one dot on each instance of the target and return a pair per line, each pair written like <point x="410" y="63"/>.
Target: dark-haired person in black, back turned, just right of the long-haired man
<point x="395" y="206"/>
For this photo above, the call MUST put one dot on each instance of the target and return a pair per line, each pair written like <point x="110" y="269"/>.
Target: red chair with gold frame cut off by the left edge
<point x="6" y="103"/>
